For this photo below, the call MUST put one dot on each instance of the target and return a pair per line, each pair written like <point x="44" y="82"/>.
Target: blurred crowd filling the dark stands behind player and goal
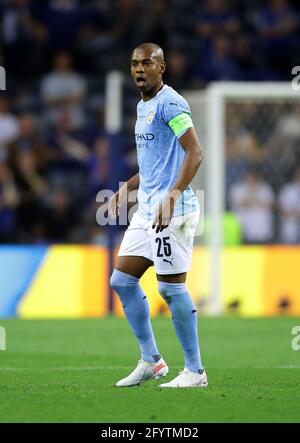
<point x="53" y="147"/>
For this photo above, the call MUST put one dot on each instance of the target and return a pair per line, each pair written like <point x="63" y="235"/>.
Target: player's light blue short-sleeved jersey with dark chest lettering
<point x="160" y="155"/>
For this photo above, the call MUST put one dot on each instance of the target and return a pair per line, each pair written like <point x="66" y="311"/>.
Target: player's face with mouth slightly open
<point x="146" y="70"/>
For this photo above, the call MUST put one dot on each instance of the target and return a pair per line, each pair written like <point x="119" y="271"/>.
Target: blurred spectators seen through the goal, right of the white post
<point x="263" y="169"/>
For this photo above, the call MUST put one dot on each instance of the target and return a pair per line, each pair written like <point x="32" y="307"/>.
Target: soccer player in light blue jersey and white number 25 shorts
<point x="161" y="232"/>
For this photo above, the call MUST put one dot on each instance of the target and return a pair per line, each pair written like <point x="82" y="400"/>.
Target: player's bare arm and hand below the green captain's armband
<point x="193" y="158"/>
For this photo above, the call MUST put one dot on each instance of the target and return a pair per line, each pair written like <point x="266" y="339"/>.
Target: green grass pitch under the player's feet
<point x="65" y="370"/>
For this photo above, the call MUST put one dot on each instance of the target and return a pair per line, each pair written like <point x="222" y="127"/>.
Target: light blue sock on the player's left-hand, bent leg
<point x="136" y="309"/>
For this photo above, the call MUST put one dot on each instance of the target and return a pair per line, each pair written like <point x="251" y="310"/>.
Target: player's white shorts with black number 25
<point x="170" y="250"/>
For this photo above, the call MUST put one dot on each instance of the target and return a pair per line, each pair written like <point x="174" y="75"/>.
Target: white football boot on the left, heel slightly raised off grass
<point x="143" y="372"/>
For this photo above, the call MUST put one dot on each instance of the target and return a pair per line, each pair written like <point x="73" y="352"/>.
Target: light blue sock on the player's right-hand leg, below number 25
<point x="184" y="316"/>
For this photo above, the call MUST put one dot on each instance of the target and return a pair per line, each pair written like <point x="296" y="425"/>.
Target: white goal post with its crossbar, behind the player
<point x="274" y="96"/>
